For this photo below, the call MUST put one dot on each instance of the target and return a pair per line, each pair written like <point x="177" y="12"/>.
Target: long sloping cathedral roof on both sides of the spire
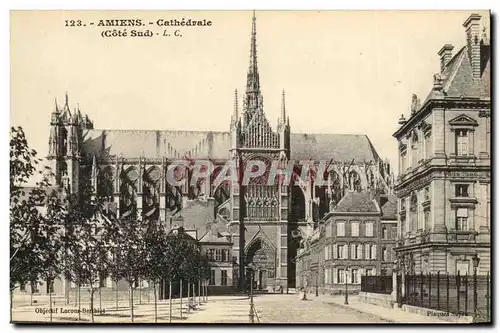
<point x="216" y="145"/>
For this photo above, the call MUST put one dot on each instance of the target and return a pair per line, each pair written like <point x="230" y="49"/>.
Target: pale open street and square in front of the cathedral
<point x="270" y="308"/>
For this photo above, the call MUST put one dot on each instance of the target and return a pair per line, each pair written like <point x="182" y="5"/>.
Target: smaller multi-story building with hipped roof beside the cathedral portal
<point x="356" y="238"/>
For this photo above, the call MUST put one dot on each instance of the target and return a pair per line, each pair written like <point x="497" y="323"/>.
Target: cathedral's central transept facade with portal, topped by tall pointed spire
<point x="262" y="203"/>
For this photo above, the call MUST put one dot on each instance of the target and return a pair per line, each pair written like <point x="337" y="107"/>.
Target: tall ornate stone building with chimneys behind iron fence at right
<point x="444" y="178"/>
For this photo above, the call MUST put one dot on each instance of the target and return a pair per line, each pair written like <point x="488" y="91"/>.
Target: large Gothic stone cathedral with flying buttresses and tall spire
<point x="129" y="167"/>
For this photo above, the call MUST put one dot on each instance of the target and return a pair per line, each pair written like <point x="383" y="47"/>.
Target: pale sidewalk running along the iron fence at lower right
<point x="395" y="315"/>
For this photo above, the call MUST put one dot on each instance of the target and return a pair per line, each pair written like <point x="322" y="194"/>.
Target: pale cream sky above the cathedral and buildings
<point x="345" y="72"/>
